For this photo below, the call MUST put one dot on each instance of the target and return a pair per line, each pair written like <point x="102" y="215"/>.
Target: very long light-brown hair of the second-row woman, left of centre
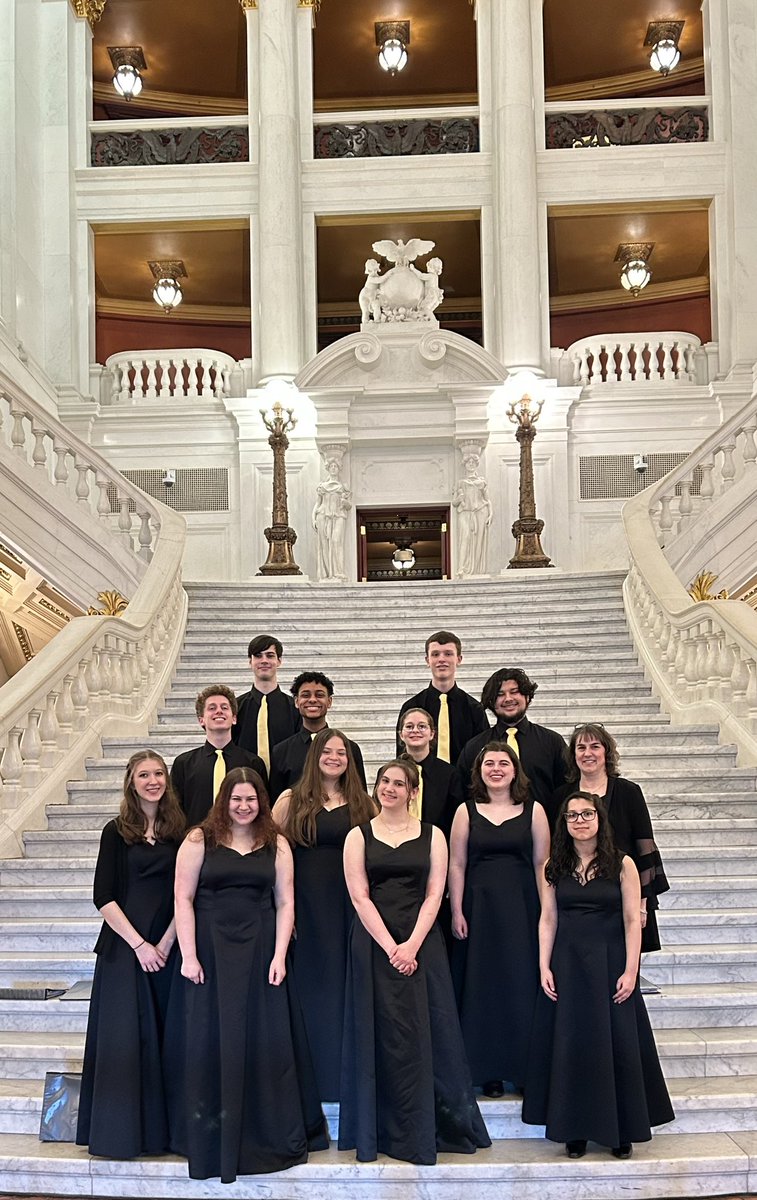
<point x="308" y="796"/>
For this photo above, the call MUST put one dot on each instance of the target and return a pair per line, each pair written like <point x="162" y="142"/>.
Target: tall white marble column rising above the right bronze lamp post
<point x="518" y="328"/>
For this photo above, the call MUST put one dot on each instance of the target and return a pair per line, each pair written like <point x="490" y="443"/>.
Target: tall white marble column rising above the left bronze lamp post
<point x="277" y="303"/>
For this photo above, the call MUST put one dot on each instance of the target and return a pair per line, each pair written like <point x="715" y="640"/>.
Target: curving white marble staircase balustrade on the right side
<point x="702" y="657"/>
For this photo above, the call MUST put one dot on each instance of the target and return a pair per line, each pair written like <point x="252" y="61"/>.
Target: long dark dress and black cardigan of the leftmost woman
<point x="122" y="1106"/>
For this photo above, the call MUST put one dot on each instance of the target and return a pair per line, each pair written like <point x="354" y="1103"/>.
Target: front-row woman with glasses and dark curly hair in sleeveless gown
<point x="594" y="1072"/>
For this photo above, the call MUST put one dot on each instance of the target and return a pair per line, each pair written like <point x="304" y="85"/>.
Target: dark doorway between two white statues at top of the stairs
<point x="404" y="543"/>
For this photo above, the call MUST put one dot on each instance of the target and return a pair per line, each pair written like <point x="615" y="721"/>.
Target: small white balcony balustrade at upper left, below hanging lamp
<point x="169" y="375"/>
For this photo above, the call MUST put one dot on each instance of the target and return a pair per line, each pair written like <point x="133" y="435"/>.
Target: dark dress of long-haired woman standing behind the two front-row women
<point x="323" y="921"/>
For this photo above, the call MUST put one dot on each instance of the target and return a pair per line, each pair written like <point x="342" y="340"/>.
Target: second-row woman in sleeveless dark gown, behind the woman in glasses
<point x="501" y="843"/>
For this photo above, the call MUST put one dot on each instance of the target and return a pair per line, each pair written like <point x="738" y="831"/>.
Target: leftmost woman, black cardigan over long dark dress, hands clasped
<point x="122" y="1106"/>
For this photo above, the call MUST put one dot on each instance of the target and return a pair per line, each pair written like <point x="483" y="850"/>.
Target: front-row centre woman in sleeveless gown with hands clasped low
<point x="406" y="1087"/>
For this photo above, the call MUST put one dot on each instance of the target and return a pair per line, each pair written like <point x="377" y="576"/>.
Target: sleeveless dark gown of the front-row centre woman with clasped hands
<point x="406" y="1085"/>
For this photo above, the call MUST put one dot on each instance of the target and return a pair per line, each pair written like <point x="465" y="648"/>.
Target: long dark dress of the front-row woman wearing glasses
<point x="594" y="1071"/>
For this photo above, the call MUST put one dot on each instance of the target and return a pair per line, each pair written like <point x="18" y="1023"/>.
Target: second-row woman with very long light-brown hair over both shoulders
<point x="316" y="818"/>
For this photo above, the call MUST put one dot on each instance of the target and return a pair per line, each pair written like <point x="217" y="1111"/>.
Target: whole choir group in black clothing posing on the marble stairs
<point x="472" y="927"/>
